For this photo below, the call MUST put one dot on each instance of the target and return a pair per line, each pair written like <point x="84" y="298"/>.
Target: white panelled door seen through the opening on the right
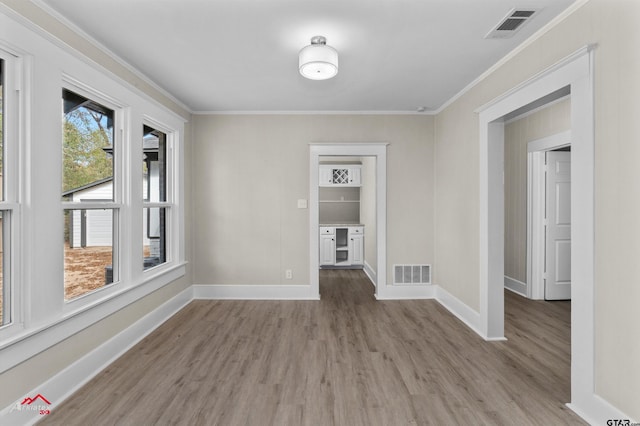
<point x="558" y="226"/>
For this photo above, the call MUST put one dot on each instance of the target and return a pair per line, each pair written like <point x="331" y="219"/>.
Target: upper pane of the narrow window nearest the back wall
<point x="154" y="148"/>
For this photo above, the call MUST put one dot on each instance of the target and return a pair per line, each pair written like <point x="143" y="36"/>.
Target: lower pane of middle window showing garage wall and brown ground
<point x="88" y="251"/>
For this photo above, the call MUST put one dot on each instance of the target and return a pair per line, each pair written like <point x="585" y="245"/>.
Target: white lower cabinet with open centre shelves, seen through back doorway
<point x="341" y="246"/>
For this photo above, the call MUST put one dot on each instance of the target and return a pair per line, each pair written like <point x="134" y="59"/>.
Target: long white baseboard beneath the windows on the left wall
<point x="65" y="383"/>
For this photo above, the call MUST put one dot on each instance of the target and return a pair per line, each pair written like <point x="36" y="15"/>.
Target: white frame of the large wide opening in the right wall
<point x="575" y="71"/>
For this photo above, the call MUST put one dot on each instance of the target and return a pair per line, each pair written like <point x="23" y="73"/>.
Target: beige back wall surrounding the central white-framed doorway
<point x="249" y="171"/>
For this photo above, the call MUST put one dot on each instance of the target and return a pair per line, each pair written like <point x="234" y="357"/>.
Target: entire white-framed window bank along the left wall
<point x="73" y="253"/>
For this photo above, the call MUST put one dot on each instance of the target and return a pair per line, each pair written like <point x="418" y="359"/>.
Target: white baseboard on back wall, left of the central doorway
<point x="253" y="292"/>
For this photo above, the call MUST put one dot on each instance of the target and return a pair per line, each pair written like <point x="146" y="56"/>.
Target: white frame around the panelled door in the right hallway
<point x="535" y="209"/>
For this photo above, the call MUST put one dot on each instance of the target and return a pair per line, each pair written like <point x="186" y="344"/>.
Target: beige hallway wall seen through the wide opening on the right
<point x="548" y="121"/>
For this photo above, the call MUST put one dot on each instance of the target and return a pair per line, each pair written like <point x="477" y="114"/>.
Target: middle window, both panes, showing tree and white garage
<point x="88" y="195"/>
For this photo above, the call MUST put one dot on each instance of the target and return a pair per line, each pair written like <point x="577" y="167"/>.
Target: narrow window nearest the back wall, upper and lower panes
<point x="154" y="190"/>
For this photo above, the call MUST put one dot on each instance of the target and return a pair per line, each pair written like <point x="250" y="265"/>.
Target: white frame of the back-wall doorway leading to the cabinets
<point x="378" y="150"/>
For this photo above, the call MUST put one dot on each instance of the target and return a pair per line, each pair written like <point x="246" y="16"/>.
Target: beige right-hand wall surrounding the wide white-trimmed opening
<point x="613" y="26"/>
